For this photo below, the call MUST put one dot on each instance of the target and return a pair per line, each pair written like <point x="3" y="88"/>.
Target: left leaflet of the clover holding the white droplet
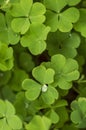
<point x="32" y="87"/>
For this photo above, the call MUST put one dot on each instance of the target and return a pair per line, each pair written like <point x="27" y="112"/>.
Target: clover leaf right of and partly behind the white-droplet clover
<point x="66" y="70"/>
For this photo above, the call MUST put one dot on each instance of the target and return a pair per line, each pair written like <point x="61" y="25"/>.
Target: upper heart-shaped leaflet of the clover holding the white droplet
<point x="43" y="75"/>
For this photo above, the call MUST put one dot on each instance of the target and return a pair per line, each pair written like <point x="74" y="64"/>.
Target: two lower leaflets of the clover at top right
<point x="62" y="20"/>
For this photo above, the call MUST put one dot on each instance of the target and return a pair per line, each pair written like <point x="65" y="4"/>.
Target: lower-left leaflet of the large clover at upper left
<point x="20" y="25"/>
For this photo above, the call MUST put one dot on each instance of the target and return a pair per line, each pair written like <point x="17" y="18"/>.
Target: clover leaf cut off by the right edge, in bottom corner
<point x="78" y="114"/>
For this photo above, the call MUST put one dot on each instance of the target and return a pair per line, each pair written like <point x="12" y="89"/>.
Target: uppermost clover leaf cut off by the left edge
<point x="6" y="31"/>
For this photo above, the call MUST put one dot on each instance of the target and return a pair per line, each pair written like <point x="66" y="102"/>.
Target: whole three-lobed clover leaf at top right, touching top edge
<point x="58" y="19"/>
